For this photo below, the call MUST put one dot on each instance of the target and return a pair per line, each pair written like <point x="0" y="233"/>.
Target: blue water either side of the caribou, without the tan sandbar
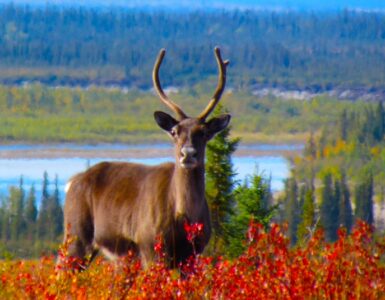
<point x="276" y="167"/>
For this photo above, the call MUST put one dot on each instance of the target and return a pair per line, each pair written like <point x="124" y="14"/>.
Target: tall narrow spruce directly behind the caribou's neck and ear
<point x="220" y="181"/>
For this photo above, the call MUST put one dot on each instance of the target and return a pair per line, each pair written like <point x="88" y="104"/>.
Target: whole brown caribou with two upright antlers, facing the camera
<point x="118" y="207"/>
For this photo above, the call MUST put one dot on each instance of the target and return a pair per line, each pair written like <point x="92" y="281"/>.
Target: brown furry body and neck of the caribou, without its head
<point x="124" y="206"/>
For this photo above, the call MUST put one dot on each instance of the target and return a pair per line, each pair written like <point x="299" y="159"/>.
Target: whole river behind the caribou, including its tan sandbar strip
<point x="65" y="160"/>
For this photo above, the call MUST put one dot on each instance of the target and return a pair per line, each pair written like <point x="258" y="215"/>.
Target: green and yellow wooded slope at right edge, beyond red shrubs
<point x="339" y="178"/>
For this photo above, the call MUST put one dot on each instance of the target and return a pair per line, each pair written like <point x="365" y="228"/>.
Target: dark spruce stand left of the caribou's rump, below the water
<point x="26" y="229"/>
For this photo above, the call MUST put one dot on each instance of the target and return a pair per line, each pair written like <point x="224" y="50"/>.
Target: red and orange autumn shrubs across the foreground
<point x="351" y="268"/>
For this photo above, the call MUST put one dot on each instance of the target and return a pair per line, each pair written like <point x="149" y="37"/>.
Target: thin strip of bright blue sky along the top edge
<point x="226" y="4"/>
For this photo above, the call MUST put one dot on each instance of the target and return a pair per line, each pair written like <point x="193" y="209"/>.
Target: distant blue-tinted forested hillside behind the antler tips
<point x="81" y="45"/>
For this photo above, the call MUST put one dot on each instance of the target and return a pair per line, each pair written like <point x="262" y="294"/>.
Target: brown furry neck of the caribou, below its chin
<point x="189" y="192"/>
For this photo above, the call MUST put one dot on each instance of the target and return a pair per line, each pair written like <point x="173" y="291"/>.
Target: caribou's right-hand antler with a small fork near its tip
<point x="220" y="87"/>
